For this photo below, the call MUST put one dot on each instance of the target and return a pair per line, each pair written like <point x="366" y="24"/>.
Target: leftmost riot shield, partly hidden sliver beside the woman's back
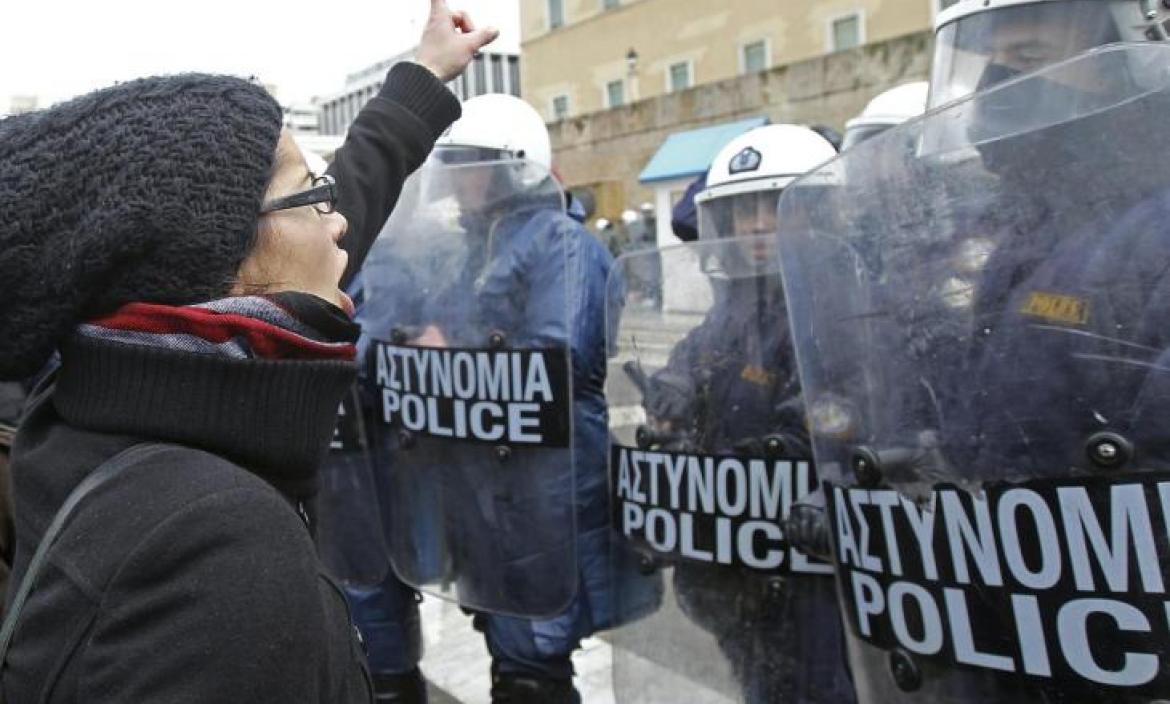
<point x="346" y="517"/>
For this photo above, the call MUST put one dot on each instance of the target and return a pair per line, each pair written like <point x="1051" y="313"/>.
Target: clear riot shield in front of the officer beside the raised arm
<point x="467" y="312"/>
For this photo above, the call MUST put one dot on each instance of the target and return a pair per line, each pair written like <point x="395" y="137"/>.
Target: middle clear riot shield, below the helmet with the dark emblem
<point x="710" y="454"/>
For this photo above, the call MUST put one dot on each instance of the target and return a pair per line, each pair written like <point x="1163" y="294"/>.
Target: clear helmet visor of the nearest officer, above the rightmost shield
<point x="985" y="49"/>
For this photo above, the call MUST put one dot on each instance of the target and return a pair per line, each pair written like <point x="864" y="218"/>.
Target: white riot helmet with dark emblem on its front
<point x="745" y="183"/>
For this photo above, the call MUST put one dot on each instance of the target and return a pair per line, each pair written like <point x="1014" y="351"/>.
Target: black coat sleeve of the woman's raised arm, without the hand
<point x="390" y="139"/>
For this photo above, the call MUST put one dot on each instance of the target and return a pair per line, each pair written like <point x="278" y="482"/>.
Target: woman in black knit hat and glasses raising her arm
<point x="167" y="238"/>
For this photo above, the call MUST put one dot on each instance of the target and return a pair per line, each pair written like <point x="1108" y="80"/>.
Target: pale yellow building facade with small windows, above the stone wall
<point x="580" y="59"/>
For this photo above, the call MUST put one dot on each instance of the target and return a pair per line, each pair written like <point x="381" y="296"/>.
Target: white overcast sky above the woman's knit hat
<point x="59" y="49"/>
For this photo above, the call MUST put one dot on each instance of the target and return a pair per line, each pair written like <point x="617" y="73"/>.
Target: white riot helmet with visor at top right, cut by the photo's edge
<point x="983" y="43"/>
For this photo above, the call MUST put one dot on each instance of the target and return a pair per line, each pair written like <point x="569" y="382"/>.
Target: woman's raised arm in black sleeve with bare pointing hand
<point x="396" y="130"/>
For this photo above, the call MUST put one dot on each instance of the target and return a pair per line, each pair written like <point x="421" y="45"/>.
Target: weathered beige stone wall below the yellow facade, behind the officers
<point x="608" y="150"/>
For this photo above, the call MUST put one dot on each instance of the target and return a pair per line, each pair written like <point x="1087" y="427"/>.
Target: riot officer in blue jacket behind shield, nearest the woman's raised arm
<point x="485" y="369"/>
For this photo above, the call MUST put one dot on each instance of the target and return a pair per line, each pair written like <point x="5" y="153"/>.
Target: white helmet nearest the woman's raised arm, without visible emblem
<point x="499" y="127"/>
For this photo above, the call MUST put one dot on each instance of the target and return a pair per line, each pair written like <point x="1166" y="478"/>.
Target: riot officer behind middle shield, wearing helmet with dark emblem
<point x="726" y="403"/>
